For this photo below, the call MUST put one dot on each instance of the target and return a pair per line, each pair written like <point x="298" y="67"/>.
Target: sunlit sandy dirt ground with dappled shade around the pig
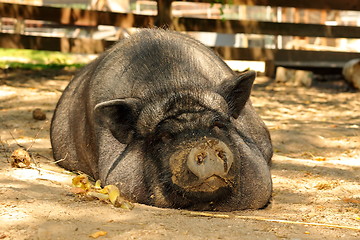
<point x="316" y="137"/>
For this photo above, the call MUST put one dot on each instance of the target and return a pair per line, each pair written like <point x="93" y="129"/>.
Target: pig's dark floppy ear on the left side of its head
<point x="119" y="116"/>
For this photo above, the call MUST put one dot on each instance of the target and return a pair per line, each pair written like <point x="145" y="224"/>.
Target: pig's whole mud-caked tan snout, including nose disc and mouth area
<point x="205" y="165"/>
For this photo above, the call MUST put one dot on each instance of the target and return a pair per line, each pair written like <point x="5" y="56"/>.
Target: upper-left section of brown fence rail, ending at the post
<point x="74" y="16"/>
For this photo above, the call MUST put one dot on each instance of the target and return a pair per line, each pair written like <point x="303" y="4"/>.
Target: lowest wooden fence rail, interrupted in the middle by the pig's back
<point x="286" y="57"/>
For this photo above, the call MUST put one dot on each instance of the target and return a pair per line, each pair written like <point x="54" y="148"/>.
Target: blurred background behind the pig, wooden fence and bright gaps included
<point x="265" y="34"/>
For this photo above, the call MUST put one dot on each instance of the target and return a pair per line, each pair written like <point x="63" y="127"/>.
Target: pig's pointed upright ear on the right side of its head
<point x="236" y="91"/>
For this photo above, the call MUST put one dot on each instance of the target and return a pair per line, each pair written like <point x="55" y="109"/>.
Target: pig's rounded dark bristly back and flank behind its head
<point x="150" y="61"/>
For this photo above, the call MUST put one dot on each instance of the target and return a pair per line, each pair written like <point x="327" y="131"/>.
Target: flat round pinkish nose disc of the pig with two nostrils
<point x="210" y="157"/>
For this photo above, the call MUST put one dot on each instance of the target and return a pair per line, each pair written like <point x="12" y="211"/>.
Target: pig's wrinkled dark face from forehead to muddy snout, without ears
<point x="189" y="138"/>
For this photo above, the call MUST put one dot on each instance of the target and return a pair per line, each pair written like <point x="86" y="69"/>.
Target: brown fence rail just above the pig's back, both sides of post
<point x="93" y="18"/>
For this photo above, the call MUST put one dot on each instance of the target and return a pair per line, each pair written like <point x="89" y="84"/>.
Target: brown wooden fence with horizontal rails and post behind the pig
<point x="89" y="20"/>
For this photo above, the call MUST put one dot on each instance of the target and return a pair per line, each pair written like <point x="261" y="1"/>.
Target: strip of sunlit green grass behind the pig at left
<point x="34" y="59"/>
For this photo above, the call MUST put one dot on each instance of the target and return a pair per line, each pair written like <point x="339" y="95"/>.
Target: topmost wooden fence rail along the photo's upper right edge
<point x="352" y="5"/>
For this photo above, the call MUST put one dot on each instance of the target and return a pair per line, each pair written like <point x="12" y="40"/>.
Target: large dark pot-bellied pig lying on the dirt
<point x="165" y="119"/>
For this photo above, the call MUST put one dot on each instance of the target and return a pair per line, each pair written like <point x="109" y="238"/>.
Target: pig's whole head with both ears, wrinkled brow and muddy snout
<point x="187" y="134"/>
